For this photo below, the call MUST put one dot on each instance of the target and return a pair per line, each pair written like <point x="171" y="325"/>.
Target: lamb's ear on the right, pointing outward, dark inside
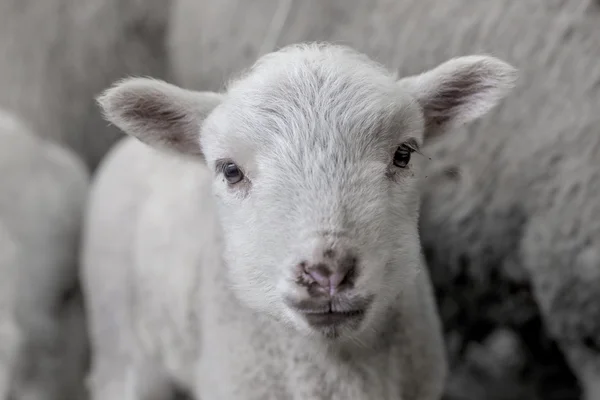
<point x="460" y="90"/>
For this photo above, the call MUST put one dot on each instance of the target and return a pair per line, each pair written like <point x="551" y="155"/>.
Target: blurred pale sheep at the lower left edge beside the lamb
<point x="43" y="337"/>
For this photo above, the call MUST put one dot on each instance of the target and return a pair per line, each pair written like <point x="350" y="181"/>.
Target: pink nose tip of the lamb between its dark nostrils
<point x="330" y="274"/>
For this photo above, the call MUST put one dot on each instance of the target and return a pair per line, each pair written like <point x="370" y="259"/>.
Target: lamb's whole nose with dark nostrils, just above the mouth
<point x="329" y="272"/>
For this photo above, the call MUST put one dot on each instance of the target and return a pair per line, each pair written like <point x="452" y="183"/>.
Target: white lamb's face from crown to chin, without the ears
<point x="315" y="177"/>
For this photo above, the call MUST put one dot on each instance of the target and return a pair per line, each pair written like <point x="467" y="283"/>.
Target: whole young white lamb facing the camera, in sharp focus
<point x="263" y="242"/>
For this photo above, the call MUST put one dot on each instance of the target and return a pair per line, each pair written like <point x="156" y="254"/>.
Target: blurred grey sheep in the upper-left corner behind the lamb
<point x="57" y="54"/>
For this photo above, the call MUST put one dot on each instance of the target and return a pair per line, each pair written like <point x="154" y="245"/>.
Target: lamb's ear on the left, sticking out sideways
<point x="159" y="114"/>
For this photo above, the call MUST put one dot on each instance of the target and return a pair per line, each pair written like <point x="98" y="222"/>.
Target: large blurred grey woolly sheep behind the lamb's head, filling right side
<point x="479" y="222"/>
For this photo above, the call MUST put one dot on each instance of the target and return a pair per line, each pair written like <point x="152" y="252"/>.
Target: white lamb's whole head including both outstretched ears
<point x="316" y="162"/>
